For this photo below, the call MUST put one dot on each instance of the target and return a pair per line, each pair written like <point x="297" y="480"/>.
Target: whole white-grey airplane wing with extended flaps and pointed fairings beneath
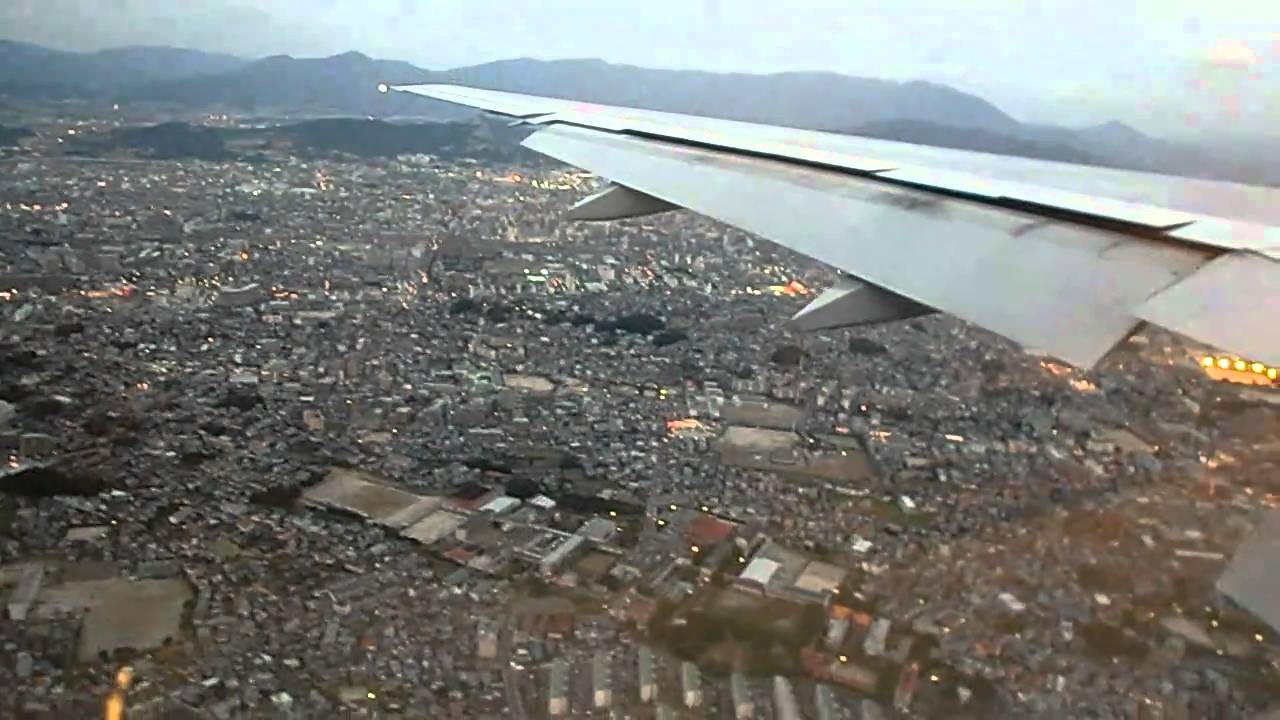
<point x="1063" y="259"/>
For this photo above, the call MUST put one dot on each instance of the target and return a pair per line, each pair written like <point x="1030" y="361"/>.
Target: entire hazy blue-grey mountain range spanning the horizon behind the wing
<point x="346" y="85"/>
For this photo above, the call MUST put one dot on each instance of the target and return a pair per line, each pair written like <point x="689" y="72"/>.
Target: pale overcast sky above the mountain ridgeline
<point x="1167" y="66"/>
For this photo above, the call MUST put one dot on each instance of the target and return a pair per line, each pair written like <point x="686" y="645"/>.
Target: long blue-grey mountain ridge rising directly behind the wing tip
<point x="348" y="85"/>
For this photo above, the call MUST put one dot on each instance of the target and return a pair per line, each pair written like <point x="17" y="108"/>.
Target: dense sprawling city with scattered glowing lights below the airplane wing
<point x="308" y="435"/>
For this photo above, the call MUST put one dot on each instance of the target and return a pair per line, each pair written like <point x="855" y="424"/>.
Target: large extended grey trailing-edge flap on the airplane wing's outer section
<point x="1062" y="289"/>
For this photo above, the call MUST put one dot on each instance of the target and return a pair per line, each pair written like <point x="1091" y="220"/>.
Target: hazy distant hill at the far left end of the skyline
<point x="31" y="71"/>
